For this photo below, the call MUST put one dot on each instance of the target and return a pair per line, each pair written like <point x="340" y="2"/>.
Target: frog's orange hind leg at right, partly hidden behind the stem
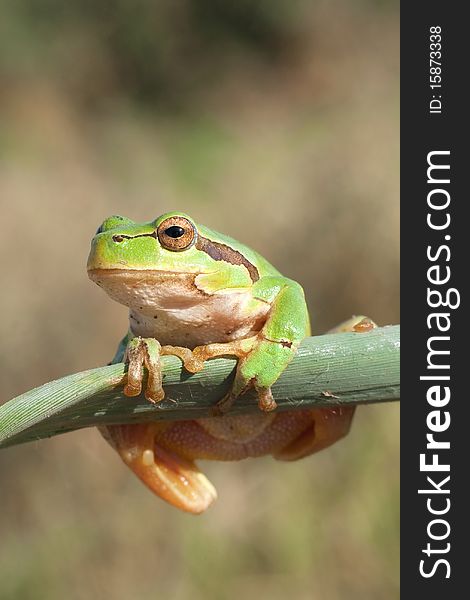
<point x="327" y="425"/>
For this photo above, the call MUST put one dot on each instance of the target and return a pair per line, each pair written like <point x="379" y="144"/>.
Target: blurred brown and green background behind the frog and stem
<point x="275" y="122"/>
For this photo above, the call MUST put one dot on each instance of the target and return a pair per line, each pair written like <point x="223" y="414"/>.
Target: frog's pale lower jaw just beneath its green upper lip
<point x="149" y="289"/>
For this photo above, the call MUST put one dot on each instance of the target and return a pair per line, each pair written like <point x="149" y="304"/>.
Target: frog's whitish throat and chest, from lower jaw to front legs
<point x="170" y="307"/>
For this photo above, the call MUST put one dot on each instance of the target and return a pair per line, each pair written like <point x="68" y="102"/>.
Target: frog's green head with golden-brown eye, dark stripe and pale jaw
<point x="167" y="263"/>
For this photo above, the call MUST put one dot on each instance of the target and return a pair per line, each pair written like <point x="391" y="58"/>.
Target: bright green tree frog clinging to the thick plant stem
<point x="198" y="294"/>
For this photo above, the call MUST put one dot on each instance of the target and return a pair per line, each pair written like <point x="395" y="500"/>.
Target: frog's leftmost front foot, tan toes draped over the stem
<point x="140" y="353"/>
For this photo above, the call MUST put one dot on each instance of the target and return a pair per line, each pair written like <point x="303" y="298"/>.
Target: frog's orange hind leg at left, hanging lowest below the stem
<point x="170" y="476"/>
